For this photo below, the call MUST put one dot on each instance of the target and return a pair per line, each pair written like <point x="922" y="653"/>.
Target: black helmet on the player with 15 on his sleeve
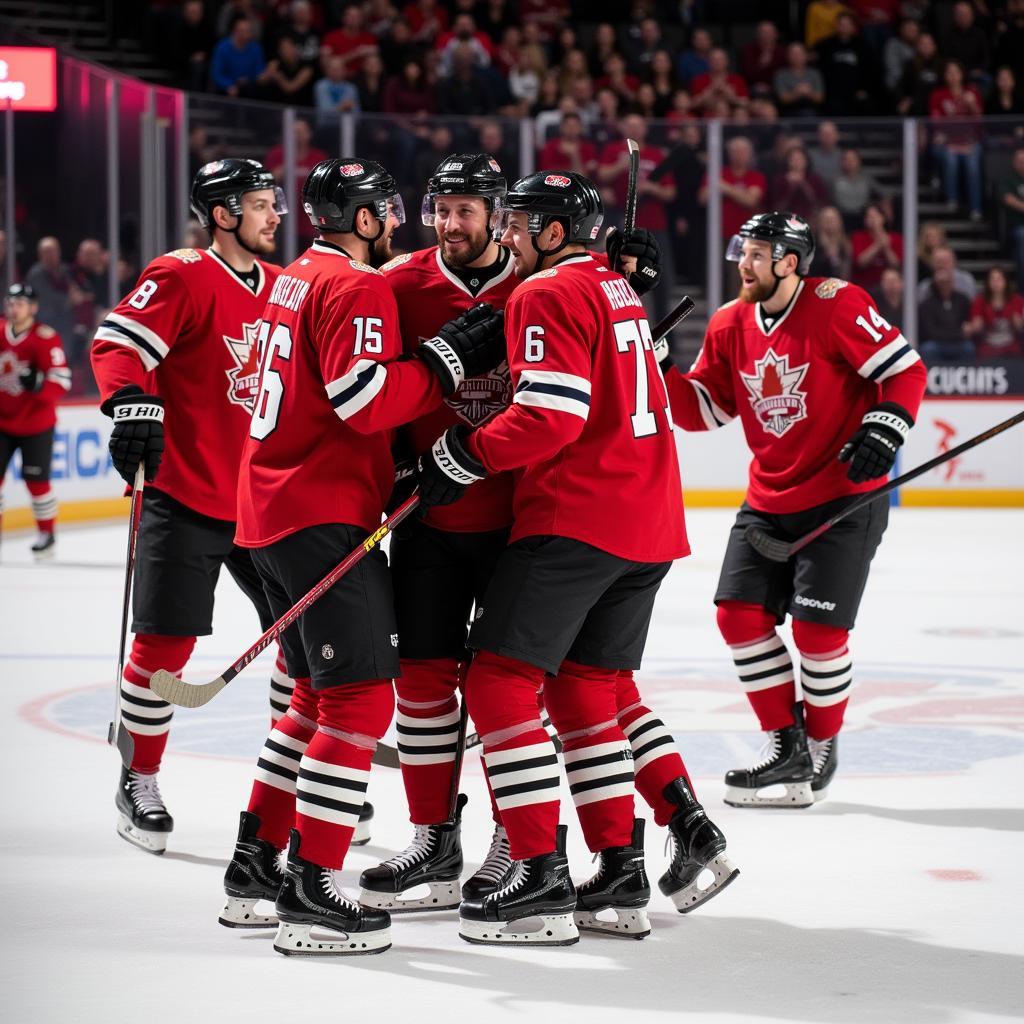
<point x="336" y="190"/>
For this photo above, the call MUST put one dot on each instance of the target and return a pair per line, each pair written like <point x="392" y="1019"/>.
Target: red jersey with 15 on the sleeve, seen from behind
<point x="330" y="394"/>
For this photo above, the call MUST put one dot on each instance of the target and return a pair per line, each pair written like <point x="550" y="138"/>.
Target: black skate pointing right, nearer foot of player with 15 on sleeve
<point x="317" y="918"/>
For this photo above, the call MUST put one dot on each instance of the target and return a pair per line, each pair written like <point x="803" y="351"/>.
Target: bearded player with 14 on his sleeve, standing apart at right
<point x="827" y="392"/>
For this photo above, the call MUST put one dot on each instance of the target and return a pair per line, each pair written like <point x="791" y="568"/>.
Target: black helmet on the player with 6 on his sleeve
<point x="547" y="196"/>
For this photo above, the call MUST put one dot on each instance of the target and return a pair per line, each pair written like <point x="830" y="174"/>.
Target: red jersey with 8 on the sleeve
<point x="188" y="333"/>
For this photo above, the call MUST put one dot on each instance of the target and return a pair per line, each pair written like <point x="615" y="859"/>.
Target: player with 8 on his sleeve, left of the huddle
<point x="182" y="345"/>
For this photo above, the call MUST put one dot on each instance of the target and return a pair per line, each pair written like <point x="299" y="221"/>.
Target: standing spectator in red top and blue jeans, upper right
<point x="956" y="143"/>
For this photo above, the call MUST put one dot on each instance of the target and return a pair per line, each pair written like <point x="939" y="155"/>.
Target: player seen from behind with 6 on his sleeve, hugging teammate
<point x="572" y="596"/>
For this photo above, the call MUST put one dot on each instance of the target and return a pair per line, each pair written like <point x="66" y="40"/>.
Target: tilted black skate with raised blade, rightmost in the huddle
<point x="698" y="846"/>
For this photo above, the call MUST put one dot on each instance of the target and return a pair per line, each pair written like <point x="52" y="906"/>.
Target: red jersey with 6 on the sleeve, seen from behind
<point x="589" y="431"/>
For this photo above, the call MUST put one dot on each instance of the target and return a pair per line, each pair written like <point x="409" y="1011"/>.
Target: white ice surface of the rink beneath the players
<point x="900" y="900"/>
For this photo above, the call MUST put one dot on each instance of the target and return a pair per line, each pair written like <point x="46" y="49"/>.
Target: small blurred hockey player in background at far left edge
<point x="34" y="376"/>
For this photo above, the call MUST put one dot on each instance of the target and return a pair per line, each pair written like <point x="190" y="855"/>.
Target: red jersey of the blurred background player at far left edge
<point x="38" y="348"/>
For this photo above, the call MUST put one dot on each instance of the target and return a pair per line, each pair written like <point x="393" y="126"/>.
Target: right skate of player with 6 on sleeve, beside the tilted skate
<point x="621" y="885"/>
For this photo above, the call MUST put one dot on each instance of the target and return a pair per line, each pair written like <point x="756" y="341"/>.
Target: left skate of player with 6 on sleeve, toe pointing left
<point x="534" y="908"/>
